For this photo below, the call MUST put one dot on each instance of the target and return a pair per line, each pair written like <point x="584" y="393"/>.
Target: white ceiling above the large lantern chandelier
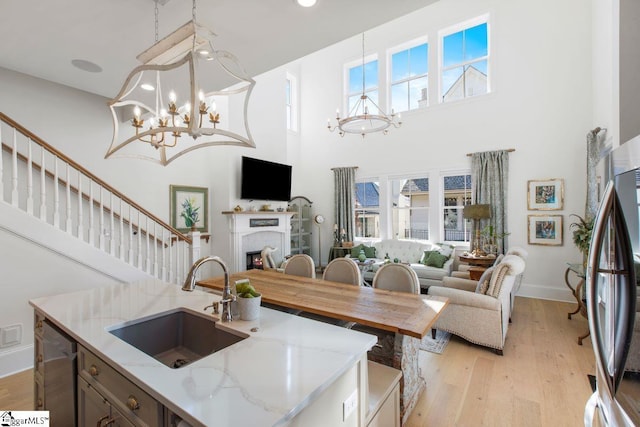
<point x="42" y="37"/>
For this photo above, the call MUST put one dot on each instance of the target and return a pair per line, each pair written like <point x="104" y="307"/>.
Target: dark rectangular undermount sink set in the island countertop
<point x="178" y="337"/>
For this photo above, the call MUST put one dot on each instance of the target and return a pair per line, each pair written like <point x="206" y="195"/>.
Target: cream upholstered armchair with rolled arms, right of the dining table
<point x="479" y="311"/>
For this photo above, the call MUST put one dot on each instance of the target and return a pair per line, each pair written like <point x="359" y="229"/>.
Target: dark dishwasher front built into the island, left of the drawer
<point x="60" y="375"/>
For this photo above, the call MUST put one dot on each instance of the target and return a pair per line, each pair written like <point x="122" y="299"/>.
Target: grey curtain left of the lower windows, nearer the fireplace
<point x="345" y="200"/>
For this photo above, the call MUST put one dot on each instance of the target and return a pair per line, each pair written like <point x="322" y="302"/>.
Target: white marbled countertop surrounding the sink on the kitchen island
<point x="264" y="380"/>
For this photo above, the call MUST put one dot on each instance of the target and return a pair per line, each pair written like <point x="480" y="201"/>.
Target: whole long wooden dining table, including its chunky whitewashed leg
<point x="402" y="319"/>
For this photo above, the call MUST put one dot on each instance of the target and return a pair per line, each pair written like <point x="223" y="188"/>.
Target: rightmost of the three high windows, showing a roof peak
<point x="465" y="63"/>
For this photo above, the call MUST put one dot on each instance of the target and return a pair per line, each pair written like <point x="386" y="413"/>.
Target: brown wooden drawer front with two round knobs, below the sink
<point x="119" y="391"/>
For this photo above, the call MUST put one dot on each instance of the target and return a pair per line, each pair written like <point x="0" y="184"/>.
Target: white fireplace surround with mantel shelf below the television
<point x="251" y="231"/>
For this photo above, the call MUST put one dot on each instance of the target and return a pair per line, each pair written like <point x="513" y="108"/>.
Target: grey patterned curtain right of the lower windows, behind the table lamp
<point x="490" y="178"/>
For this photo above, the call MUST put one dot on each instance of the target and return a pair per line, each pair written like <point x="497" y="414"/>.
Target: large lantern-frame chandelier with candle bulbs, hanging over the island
<point x="204" y="84"/>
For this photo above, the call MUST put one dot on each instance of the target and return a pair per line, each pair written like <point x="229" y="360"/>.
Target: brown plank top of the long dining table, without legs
<point x="399" y="312"/>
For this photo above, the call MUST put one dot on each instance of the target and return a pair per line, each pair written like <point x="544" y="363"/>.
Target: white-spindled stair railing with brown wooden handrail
<point x="124" y="230"/>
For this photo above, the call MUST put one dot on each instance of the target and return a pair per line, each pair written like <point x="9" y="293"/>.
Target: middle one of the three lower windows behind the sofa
<point x="410" y="208"/>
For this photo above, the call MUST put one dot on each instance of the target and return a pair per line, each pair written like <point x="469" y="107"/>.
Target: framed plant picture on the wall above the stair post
<point x="189" y="208"/>
